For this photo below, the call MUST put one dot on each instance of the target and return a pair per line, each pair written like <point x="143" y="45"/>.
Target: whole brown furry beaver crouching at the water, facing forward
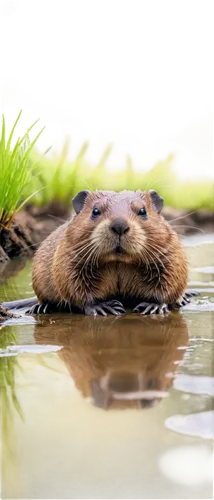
<point x="116" y="252"/>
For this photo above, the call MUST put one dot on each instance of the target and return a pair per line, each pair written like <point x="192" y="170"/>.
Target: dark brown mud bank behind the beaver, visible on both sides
<point x="32" y="226"/>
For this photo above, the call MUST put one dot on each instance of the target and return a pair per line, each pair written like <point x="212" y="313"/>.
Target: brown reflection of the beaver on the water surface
<point x="119" y="363"/>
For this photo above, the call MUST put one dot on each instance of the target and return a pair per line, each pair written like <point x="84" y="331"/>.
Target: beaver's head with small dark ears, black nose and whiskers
<point x="119" y="226"/>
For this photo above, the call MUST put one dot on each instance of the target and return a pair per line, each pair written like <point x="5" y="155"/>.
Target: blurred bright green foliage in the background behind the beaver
<point x="70" y="167"/>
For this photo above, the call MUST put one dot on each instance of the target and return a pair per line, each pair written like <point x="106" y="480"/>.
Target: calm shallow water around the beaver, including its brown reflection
<point x="99" y="408"/>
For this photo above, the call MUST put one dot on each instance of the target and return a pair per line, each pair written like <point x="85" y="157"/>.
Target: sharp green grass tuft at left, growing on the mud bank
<point x="15" y="163"/>
